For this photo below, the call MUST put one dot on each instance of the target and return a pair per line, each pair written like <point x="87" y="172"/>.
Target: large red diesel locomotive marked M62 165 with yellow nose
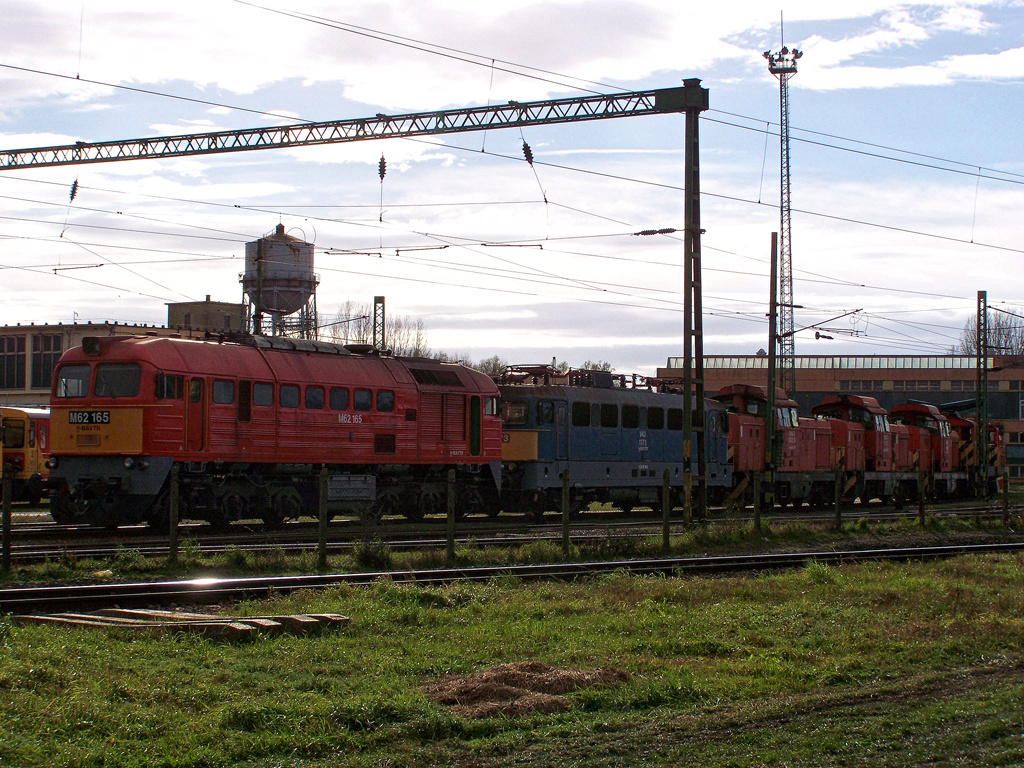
<point x="250" y="425"/>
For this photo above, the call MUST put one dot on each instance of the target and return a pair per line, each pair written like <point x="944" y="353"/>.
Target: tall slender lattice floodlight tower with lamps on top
<point x="784" y="66"/>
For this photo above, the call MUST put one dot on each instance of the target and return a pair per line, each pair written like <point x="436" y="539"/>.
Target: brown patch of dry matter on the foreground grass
<point x="517" y="690"/>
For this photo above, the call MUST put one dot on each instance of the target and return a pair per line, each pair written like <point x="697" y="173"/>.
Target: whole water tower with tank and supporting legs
<point x="280" y="286"/>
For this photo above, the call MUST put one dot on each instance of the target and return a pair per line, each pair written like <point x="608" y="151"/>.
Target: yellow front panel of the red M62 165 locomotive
<point x="96" y="431"/>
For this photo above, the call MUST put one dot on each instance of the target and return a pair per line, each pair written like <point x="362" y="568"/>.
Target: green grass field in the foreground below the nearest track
<point x="918" y="664"/>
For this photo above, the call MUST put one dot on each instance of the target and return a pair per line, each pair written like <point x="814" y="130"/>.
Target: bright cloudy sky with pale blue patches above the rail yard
<point x="908" y="173"/>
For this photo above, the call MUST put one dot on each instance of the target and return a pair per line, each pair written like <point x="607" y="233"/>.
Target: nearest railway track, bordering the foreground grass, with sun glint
<point x="49" y="600"/>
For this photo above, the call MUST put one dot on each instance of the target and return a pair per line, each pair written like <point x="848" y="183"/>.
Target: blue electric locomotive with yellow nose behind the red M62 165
<point x="614" y="435"/>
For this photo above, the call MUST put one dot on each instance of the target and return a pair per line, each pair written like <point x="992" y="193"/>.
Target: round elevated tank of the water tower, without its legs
<point x="279" y="277"/>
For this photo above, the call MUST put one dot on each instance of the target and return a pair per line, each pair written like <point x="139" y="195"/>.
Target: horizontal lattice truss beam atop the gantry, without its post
<point x="513" y="115"/>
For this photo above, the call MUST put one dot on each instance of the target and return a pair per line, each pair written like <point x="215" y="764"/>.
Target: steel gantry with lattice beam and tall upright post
<point x="691" y="100"/>
